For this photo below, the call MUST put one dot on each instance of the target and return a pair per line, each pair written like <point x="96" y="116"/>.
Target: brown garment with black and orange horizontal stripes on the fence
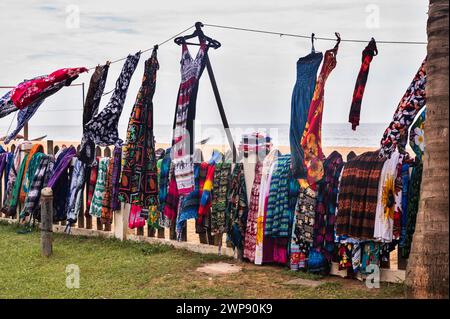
<point x="358" y="191"/>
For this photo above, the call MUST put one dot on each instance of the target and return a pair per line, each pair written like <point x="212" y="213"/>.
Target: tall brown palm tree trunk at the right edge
<point x="428" y="271"/>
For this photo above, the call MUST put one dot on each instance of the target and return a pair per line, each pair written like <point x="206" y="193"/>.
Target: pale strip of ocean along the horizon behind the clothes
<point x="333" y="134"/>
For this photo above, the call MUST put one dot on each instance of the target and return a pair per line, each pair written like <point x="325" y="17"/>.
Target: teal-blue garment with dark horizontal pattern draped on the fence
<point x="278" y="216"/>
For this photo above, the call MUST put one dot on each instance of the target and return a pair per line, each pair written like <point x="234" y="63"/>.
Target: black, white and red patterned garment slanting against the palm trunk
<point x="396" y="134"/>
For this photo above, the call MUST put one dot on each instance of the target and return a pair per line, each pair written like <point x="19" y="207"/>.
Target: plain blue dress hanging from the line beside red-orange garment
<point x="307" y="68"/>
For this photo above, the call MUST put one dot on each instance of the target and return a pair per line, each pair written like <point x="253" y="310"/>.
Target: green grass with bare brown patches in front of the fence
<point x="115" y="269"/>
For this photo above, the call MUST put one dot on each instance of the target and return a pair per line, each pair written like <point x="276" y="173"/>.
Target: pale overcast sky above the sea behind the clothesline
<point x="255" y="73"/>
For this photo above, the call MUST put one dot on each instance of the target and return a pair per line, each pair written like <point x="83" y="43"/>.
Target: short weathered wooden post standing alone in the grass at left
<point x="46" y="221"/>
